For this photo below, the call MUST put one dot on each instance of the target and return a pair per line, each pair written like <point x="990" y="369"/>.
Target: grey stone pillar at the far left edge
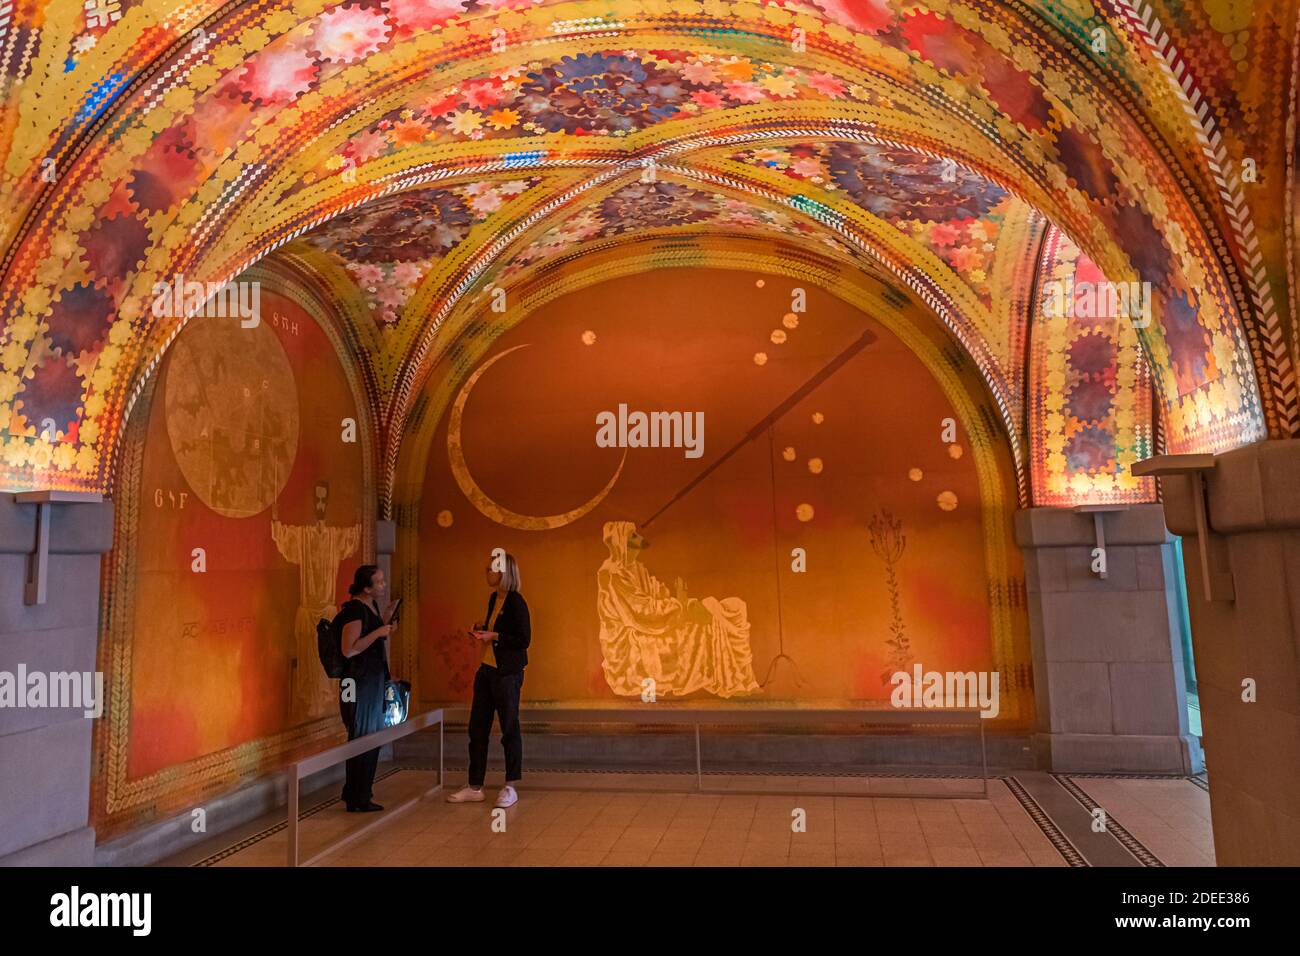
<point x="46" y="754"/>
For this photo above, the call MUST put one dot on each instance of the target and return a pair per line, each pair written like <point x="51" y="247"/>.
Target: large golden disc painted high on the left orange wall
<point x="232" y="414"/>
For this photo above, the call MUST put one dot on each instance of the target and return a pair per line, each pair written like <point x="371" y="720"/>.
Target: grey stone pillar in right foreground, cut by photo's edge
<point x="1253" y="749"/>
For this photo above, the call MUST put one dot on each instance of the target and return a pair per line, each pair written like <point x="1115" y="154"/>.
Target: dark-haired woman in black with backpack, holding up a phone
<point x="365" y="639"/>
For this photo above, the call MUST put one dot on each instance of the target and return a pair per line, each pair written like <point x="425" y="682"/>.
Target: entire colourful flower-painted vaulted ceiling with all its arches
<point x="404" y="159"/>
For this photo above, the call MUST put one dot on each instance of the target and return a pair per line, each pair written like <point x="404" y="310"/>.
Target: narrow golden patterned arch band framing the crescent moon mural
<point x="900" y="313"/>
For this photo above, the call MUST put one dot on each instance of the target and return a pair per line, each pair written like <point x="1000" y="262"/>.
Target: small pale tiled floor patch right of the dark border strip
<point x="1171" y="817"/>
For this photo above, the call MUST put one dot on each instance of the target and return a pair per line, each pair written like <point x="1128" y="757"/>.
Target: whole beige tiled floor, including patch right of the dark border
<point x="647" y="820"/>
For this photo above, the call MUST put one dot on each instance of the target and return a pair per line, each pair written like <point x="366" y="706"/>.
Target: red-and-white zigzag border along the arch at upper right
<point x="1281" y="370"/>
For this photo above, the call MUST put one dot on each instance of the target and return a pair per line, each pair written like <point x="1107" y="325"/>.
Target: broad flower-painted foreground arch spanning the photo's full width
<point x="986" y="85"/>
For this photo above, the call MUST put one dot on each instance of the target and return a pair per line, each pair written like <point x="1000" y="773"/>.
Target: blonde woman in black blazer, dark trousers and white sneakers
<point x="502" y="641"/>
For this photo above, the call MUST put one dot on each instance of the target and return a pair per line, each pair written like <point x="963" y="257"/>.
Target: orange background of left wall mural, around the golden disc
<point x="213" y="652"/>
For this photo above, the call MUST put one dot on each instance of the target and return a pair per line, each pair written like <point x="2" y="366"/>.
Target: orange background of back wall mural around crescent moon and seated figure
<point x="687" y="340"/>
